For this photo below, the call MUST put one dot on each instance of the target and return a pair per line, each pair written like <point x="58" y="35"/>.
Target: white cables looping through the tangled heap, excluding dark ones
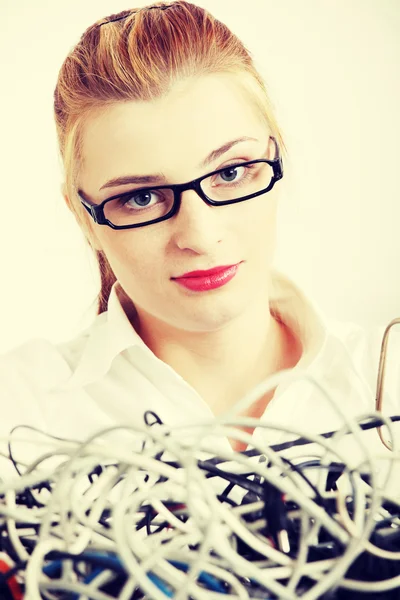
<point x="75" y="506"/>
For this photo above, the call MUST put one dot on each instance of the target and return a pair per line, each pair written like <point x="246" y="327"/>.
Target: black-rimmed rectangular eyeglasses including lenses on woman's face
<point x="145" y="206"/>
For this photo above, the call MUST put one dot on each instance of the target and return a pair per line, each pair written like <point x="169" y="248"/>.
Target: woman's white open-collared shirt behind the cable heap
<point x="108" y="376"/>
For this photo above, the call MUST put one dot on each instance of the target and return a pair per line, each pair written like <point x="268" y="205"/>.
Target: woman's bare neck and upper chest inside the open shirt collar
<point x="222" y="365"/>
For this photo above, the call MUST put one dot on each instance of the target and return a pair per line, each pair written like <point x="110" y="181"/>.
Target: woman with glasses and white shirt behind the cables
<point x="173" y="161"/>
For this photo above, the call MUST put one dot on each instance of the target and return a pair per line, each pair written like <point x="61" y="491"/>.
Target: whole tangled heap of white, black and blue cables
<point x="159" y="516"/>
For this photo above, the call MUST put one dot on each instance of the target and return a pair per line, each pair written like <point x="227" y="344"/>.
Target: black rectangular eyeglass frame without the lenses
<point x="96" y="211"/>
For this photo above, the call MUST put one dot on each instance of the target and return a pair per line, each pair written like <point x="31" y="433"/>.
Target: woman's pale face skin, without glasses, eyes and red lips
<point x="171" y="138"/>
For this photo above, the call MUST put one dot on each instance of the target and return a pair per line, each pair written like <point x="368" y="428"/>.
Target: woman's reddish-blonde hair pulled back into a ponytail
<point x="138" y="55"/>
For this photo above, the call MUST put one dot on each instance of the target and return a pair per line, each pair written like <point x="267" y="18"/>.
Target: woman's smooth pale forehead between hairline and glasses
<point x="171" y="134"/>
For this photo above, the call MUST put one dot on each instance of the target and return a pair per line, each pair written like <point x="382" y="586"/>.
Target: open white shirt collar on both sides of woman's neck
<point x="112" y="332"/>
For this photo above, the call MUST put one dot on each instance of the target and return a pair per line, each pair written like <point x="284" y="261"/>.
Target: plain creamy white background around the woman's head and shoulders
<point x="332" y="68"/>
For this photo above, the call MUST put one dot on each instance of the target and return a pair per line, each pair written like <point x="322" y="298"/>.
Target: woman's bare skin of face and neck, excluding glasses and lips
<point x="223" y="341"/>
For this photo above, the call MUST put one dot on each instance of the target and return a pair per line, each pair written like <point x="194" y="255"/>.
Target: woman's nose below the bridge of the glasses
<point x="197" y="226"/>
